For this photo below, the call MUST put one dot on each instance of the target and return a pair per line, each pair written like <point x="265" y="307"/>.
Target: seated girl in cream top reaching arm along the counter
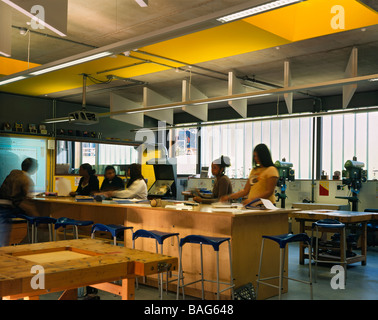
<point x="136" y="187"/>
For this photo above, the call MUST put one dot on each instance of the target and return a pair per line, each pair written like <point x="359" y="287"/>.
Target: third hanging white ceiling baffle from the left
<point x="189" y="92"/>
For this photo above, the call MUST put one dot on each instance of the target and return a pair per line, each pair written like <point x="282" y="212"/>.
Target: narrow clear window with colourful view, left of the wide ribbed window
<point x="184" y="149"/>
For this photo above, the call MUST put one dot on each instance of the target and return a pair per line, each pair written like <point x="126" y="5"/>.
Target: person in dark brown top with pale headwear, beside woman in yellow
<point x="222" y="185"/>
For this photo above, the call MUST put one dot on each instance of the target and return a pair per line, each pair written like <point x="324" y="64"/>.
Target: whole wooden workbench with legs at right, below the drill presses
<point x="346" y="217"/>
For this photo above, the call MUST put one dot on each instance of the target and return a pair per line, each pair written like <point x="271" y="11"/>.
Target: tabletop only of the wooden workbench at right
<point x="342" y="216"/>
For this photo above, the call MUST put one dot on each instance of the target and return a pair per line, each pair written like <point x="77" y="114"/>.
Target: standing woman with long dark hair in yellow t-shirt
<point x="262" y="180"/>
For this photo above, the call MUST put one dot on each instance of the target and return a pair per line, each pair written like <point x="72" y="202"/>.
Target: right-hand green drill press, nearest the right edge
<point x="353" y="177"/>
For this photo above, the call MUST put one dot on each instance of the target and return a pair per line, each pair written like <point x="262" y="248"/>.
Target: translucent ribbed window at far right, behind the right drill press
<point x="349" y="135"/>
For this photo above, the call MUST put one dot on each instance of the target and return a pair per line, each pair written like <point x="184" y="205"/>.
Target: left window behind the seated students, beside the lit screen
<point x="71" y="154"/>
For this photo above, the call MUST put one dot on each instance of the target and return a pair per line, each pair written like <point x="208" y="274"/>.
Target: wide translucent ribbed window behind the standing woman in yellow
<point x="290" y="139"/>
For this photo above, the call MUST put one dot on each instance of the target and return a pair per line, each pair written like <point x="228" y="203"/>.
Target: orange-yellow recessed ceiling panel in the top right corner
<point x="315" y="18"/>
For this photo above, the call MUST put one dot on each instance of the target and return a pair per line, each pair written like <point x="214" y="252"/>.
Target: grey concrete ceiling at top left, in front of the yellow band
<point x="97" y="23"/>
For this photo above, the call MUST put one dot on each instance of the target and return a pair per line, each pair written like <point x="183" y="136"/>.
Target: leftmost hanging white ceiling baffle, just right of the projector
<point x="118" y="103"/>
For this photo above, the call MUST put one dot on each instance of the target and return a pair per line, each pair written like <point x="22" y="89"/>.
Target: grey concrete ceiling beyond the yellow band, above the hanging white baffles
<point x="312" y="61"/>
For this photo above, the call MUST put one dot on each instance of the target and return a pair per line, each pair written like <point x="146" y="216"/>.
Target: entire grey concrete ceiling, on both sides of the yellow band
<point x="93" y="24"/>
